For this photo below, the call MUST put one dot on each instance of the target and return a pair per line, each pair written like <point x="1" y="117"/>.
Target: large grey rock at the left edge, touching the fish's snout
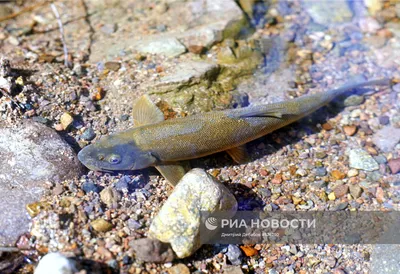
<point x="31" y="154"/>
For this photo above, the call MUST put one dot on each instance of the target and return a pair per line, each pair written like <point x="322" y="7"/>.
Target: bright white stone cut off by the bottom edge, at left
<point x="55" y="263"/>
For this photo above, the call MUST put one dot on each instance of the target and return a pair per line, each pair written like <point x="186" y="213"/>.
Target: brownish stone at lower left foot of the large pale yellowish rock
<point x="152" y="250"/>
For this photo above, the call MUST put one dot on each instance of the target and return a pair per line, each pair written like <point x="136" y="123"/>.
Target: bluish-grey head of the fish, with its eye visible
<point x="111" y="154"/>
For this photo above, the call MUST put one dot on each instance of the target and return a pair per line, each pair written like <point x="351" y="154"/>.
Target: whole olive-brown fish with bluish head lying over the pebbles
<point x="166" y="144"/>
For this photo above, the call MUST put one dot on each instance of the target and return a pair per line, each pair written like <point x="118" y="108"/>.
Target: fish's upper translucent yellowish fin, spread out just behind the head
<point x="145" y="112"/>
